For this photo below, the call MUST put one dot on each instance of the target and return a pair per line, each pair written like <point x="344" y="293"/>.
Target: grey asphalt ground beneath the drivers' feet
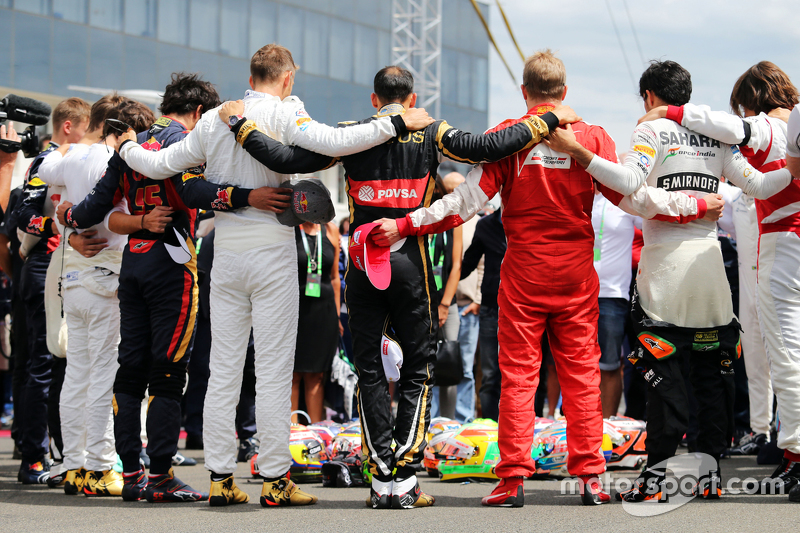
<point x="457" y="509"/>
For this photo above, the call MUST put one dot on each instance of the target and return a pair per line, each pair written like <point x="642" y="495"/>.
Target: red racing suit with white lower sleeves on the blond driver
<point x="547" y="283"/>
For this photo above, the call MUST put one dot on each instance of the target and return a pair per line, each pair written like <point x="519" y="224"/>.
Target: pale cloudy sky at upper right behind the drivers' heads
<point x="716" y="41"/>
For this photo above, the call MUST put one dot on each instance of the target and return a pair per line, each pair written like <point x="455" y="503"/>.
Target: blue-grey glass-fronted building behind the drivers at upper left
<point x="48" y="45"/>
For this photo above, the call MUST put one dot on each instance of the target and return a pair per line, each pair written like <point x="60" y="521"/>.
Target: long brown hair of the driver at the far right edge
<point x="762" y="88"/>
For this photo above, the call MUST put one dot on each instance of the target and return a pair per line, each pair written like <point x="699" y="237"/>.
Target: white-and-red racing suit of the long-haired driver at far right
<point x="765" y="145"/>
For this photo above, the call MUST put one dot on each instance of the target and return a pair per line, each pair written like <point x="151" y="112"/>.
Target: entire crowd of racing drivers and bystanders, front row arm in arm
<point x="121" y="335"/>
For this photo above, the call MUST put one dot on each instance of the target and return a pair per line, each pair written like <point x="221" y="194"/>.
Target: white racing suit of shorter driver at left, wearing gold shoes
<point x="91" y="309"/>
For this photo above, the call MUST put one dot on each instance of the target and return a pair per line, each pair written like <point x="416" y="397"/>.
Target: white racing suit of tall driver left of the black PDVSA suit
<point x="254" y="280"/>
